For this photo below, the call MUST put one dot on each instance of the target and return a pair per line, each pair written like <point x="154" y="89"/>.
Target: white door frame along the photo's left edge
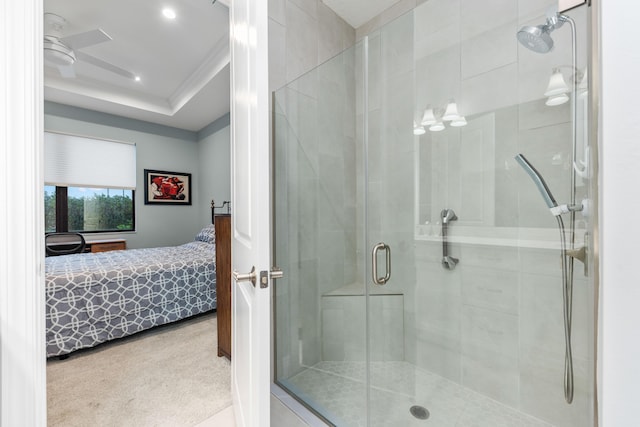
<point x="22" y="312"/>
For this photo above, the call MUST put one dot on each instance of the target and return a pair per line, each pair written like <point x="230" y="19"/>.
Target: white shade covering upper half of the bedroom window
<point x="74" y="161"/>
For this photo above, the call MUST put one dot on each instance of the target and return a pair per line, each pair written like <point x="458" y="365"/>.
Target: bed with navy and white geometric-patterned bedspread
<point x="96" y="297"/>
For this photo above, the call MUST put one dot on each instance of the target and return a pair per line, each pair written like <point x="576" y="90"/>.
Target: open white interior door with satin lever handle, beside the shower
<point x="250" y="348"/>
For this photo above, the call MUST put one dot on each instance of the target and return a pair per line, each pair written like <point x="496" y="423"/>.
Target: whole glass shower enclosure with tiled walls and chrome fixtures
<point x="426" y="278"/>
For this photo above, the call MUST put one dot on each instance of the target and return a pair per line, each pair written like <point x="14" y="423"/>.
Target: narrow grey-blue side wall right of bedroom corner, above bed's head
<point x="214" y="166"/>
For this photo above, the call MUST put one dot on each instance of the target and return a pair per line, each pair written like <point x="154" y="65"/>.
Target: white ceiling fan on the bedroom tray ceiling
<point x="63" y="52"/>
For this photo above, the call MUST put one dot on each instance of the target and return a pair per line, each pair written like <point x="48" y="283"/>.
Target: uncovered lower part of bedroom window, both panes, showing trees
<point x="88" y="209"/>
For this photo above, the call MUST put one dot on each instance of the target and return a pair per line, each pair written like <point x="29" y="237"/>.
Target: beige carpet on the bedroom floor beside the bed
<point x="167" y="376"/>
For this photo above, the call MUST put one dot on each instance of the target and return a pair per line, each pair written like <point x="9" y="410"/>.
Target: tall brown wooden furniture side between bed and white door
<point x="222" y="225"/>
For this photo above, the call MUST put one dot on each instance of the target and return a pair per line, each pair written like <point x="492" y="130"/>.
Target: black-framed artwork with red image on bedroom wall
<point x="166" y="188"/>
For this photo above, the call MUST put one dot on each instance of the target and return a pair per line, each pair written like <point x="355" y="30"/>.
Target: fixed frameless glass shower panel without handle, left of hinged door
<point x="319" y="304"/>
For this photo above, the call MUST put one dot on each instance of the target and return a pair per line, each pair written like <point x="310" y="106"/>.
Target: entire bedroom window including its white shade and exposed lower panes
<point x="89" y="184"/>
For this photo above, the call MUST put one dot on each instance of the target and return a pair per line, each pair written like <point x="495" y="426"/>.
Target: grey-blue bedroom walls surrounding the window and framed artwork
<point x="158" y="147"/>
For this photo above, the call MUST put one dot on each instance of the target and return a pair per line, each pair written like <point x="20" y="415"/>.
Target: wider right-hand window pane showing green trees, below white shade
<point x="99" y="209"/>
